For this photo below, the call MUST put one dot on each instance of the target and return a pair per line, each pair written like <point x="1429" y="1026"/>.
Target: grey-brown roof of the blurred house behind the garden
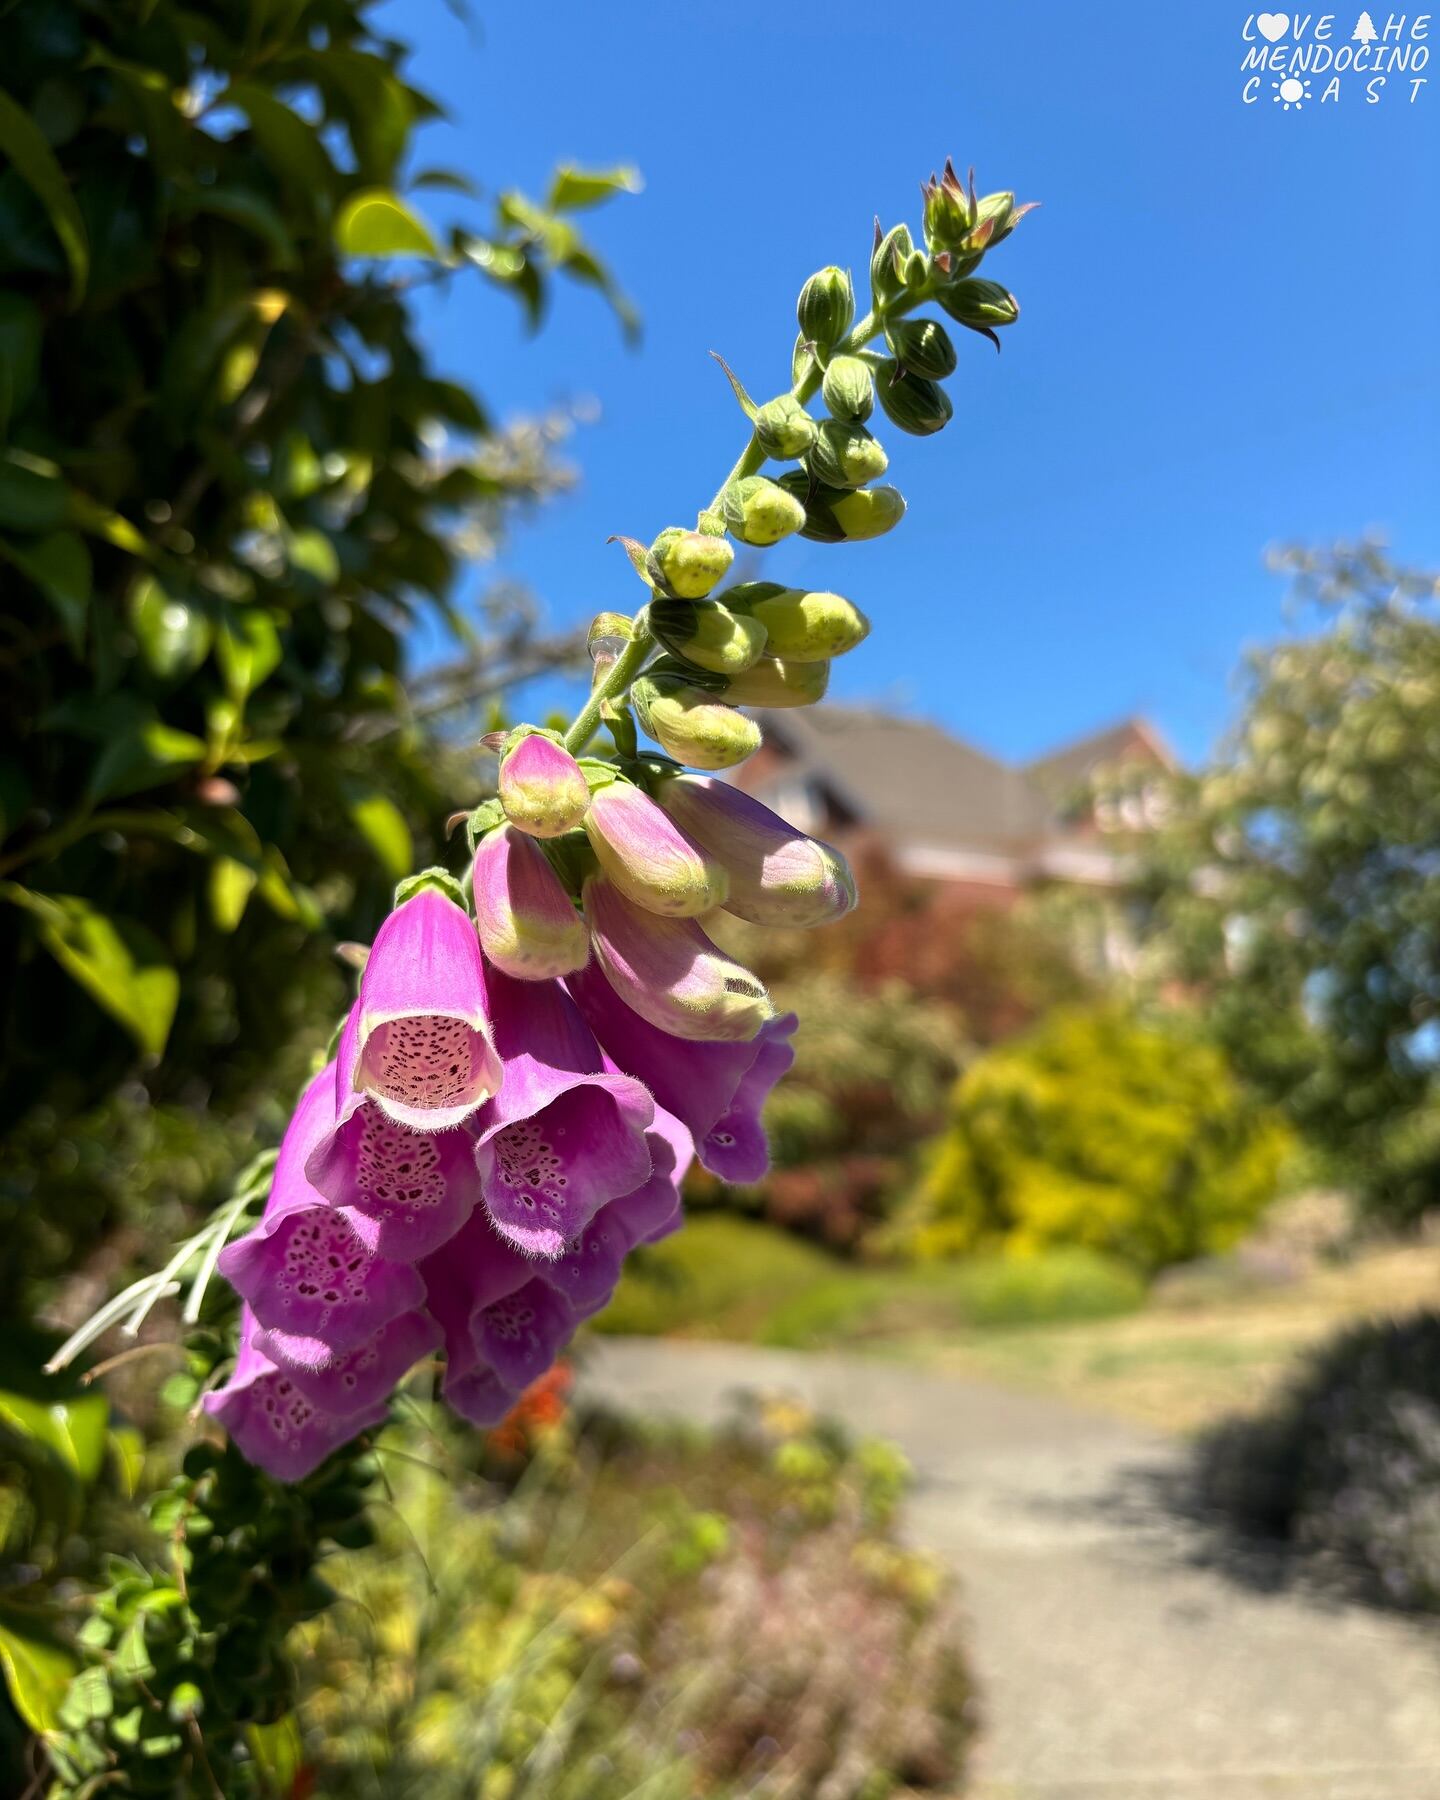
<point x="915" y="784"/>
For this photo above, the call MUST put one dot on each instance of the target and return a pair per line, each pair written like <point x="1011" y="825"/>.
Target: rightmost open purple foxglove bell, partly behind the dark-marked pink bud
<point x="715" y="1090"/>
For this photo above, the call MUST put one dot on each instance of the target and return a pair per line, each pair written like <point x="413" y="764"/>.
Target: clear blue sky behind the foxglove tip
<point x="1228" y="327"/>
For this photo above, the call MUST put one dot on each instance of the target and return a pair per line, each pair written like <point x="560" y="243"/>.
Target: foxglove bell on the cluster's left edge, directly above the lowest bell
<point x="303" y="1270"/>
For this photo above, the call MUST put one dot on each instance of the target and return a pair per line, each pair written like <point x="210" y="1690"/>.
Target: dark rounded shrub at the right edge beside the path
<point x="1347" y="1464"/>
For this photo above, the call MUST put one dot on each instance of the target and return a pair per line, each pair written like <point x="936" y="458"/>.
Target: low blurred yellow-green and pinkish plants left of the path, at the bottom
<point x="651" y="1612"/>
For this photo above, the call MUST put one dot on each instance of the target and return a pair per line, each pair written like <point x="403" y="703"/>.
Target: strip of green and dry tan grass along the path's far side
<point x="1068" y="1326"/>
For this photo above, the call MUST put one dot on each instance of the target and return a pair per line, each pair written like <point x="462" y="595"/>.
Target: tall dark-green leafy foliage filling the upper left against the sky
<point x="231" y="485"/>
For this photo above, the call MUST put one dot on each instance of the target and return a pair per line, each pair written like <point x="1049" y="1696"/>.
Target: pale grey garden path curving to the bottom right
<point x="1115" y="1660"/>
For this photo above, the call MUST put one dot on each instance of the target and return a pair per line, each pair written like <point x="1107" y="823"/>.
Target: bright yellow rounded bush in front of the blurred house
<point x="1101" y="1131"/>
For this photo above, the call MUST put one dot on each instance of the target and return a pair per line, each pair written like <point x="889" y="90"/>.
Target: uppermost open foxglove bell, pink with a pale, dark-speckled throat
<point x="418" y="1041"/>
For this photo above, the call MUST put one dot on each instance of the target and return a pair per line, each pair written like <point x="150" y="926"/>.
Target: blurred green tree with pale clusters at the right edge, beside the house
<point x="1295" y="888"/>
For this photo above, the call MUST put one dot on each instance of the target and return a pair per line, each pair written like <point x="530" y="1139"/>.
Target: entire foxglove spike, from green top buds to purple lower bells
<point x="537" y="1054"/>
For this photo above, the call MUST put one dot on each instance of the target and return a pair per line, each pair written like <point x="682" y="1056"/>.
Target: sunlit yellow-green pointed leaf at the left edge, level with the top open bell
<point x="118" y="962"/>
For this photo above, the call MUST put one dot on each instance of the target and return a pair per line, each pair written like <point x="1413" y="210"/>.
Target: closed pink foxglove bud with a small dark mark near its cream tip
<point x="670" y="973"/>
